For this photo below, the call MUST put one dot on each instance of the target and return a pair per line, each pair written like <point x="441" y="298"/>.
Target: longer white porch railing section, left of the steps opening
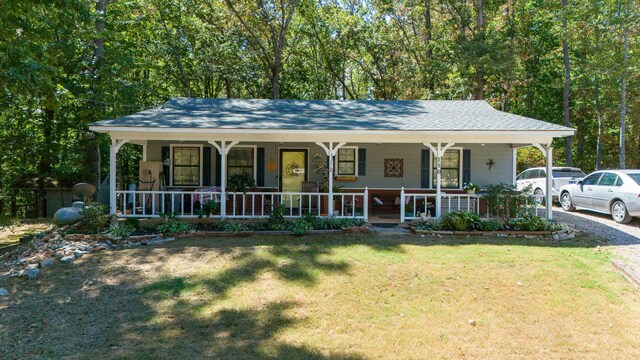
<point x="249" y="205"/>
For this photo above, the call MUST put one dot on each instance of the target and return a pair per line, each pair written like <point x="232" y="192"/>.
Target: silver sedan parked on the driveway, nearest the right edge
<point x="615" y="192"/>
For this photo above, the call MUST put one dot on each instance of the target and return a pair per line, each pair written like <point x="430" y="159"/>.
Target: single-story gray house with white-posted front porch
<point x="408" y="158"/>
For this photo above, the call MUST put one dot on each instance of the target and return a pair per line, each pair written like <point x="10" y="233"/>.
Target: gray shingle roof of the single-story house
<point x="329" y="115"/>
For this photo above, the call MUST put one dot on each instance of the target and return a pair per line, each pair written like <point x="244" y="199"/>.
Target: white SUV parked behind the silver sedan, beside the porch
<point x="537" y="179"/>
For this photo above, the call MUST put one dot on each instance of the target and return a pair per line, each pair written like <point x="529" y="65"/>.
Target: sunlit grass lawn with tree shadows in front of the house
<point x="347" y="296"/>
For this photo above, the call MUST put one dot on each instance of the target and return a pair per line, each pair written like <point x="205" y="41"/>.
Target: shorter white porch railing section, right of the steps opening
<point x="414" y="205"/>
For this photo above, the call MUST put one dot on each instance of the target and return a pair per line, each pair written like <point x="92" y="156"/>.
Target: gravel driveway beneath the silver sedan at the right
<point x="625" y="239"/>
